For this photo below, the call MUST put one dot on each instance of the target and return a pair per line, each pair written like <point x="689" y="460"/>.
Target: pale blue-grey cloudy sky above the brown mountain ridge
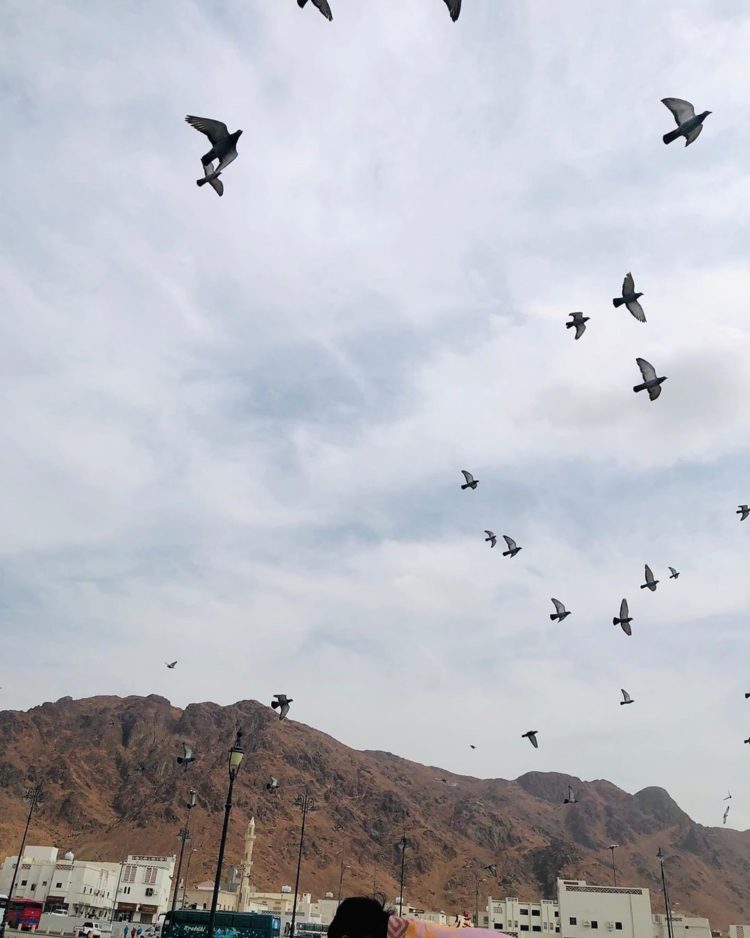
<point x="234" y="428"/>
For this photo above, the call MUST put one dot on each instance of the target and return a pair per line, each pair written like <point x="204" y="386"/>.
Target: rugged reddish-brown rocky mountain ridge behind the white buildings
<point x="112" y="786"/>
